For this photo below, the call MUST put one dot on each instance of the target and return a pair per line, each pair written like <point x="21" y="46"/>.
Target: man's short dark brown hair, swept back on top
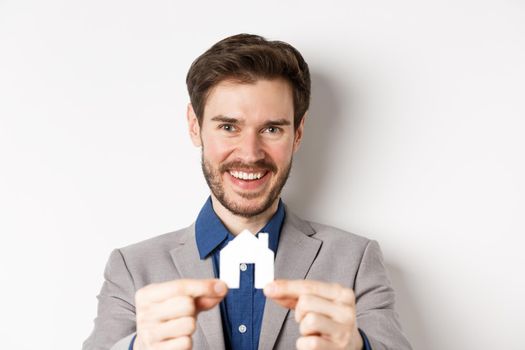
<point x="246" y="58"/>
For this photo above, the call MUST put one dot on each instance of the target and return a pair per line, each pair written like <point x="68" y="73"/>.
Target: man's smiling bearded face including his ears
<point x="248" y="139"/>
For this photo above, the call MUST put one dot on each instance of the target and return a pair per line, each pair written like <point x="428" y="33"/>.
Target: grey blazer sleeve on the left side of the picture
<point x="115" y="322"/>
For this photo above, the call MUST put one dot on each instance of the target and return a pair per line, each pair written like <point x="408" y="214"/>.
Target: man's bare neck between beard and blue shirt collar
<point x="236" y="223"/>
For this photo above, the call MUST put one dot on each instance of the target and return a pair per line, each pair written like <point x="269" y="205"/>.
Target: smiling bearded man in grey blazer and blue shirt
<point x="249" y="97"/>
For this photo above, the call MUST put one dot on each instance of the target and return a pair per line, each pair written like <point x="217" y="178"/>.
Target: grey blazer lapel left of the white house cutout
<point x="187" y="261"/>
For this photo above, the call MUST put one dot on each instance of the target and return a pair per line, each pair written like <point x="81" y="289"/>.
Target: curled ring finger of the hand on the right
<point x="320" y="325"/>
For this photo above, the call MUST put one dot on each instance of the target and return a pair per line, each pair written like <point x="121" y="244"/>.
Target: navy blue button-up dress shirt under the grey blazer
<point x="242" y="309"/>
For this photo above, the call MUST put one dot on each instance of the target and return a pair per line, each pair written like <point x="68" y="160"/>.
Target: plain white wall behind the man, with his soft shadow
<point x="414" y="138"/>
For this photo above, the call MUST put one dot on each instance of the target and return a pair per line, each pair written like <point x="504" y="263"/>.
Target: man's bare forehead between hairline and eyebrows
<point x="260" y="100"/>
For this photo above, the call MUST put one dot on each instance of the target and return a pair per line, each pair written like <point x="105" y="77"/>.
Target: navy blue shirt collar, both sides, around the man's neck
<point x="210" y="232"/>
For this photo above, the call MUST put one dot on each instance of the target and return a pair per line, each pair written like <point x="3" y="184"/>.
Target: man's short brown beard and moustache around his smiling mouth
<point x="214" y="180"/>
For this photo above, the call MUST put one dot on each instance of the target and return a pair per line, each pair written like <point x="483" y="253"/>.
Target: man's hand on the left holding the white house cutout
<point x="167" y="312"/>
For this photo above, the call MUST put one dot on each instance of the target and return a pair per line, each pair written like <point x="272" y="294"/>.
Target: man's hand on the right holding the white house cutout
<point x="325" y="313"/>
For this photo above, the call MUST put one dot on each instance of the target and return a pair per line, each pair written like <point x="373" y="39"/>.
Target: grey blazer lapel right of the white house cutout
<point x="295" y="254"/>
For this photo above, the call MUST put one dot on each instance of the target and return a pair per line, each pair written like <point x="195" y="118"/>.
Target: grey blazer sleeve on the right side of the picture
<point x="375" y="303"/>
